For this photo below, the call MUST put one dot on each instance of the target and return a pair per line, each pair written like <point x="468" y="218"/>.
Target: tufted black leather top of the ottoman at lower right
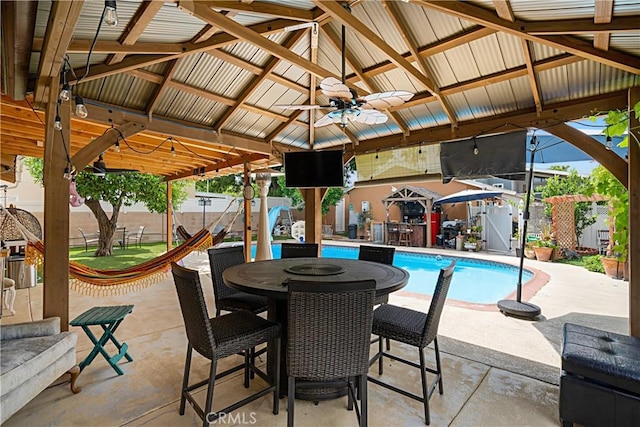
<point x="601" y="356"/>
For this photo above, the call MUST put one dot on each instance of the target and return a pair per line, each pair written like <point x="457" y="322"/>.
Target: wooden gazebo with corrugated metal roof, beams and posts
<point x="205" y="80"/>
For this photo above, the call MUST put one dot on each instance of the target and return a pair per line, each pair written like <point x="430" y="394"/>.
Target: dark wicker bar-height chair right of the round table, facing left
<point x="417" y="329"/>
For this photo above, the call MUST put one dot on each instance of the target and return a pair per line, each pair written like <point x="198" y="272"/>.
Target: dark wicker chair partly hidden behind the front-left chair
<point x="226" y="298"/>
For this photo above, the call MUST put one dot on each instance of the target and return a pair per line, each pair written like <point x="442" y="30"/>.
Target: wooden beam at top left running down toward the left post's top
<point x="60" y="26"/>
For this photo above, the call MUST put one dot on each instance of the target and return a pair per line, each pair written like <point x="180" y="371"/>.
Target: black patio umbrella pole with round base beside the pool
<point x="518" y="308"/>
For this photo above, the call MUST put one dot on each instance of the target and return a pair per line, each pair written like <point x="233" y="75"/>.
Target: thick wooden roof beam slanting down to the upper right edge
<point x="576" y="46"/>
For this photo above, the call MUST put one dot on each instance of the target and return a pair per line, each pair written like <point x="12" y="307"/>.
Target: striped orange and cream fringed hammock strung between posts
<point x="89" y="281"/>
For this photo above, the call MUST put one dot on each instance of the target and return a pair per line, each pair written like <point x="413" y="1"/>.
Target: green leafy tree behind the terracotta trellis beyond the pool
<point x="571" y="184"/>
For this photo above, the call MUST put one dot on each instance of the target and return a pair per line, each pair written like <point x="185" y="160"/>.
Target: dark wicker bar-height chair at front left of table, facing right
<point x="217" y="338"/>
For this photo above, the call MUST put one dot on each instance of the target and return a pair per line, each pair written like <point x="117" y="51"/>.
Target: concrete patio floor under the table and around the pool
<point x="498" y="370"/>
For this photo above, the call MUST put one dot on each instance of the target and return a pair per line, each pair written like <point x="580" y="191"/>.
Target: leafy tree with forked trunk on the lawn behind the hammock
<point x="118" y="190"/>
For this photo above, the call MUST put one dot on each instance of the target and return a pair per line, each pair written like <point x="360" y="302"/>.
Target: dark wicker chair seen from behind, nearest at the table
<point x="329" y="326"/>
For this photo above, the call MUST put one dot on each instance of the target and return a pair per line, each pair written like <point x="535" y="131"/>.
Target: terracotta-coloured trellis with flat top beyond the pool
<point x="563" y="216"/>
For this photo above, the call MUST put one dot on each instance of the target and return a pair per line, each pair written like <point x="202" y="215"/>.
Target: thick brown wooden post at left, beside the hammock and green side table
<point x="56" y="210"/>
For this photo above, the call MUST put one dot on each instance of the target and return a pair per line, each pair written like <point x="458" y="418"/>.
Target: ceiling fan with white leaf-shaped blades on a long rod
<point x="345" y="104"/>
